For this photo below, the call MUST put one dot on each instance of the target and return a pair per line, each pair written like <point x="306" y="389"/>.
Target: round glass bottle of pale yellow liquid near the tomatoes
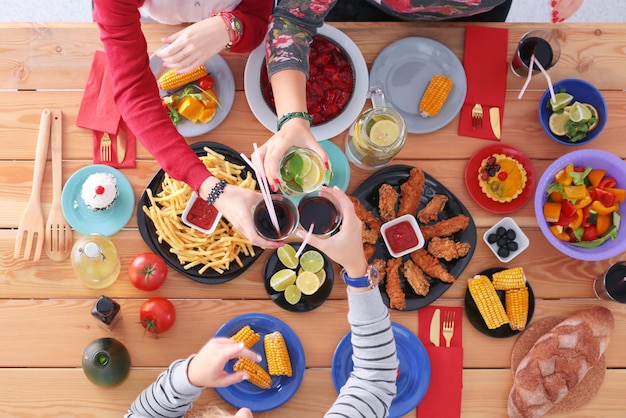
<point x="95" y="261"/>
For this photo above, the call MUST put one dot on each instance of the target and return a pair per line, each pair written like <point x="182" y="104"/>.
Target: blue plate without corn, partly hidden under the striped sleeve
<point x="414" y="378"/>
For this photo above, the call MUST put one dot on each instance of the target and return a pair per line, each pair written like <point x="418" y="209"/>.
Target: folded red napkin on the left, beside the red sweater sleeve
<point x="99" y="113"/>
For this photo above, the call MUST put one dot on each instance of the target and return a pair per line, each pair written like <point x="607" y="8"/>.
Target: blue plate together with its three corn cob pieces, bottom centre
<point x="278" y="382"/>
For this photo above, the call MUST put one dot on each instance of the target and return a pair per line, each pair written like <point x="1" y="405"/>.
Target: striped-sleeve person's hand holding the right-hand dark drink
<point x="346" y="246"/>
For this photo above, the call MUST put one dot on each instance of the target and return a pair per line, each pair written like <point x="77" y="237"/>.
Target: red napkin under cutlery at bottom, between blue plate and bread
<point x="443" y="398"/>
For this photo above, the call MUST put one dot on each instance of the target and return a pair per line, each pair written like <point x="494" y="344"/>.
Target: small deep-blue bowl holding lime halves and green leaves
<point x="583" y="92"/>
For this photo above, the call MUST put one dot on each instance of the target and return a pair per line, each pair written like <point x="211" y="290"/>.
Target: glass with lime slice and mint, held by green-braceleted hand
<point x="302" y="171"/>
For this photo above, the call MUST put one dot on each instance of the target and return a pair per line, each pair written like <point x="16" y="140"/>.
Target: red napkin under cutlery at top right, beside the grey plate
<point x="486" y="65"/>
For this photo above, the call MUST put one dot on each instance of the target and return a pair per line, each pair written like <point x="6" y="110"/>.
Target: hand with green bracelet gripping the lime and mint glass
<point x="294" y="133"/>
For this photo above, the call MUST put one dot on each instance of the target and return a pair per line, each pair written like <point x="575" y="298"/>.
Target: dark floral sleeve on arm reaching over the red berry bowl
<point x="293" y="25"/>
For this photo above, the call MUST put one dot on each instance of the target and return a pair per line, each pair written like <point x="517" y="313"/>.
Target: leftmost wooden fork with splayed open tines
<point x="31" y="227"/>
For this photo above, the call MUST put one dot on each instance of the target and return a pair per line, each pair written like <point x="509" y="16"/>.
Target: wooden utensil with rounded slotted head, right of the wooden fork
<point x="58" y="235"/>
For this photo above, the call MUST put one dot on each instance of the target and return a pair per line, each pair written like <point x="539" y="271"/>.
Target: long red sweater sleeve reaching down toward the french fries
<point x="136" y="93"/>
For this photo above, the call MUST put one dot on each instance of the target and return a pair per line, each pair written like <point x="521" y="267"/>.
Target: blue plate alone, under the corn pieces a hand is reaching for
<point x="247" y="395"/>
